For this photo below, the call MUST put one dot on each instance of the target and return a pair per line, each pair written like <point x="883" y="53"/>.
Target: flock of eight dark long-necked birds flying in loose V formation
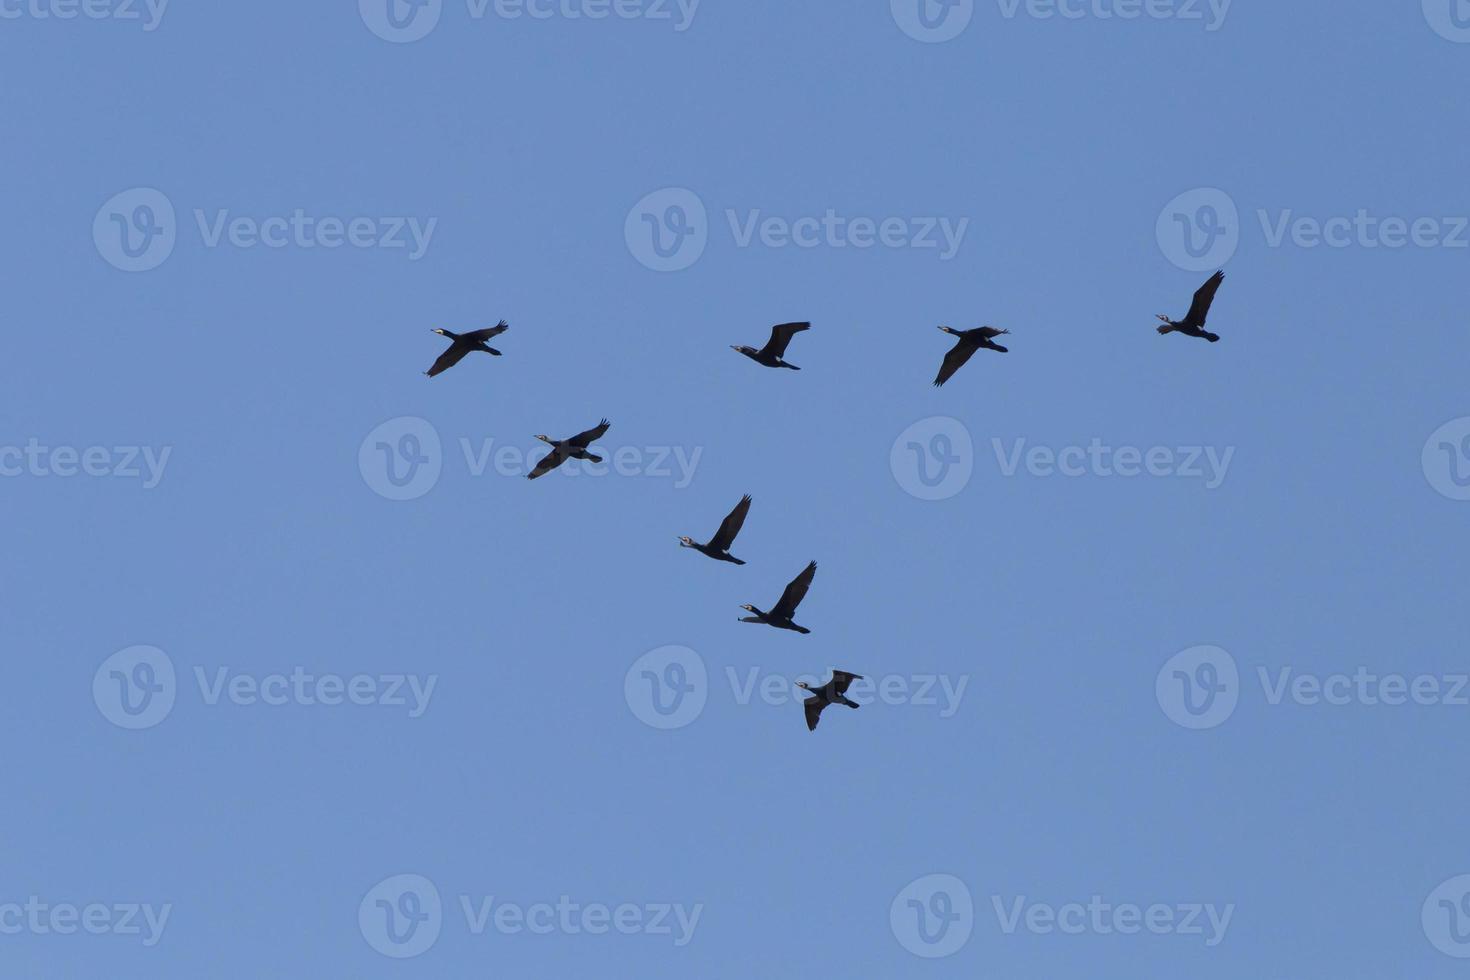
<point x="774" y="355"/>
